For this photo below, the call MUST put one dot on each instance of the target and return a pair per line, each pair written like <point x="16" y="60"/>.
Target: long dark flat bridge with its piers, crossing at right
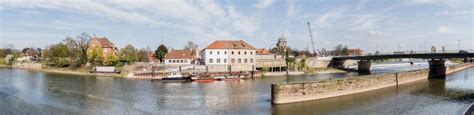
<point x="436" y="61"/>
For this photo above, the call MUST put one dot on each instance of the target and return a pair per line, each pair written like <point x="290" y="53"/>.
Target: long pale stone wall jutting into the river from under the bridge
<point x="313" y="90"/>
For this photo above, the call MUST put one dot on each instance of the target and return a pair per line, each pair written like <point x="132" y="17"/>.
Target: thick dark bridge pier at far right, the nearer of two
<point x="437" y="69"/>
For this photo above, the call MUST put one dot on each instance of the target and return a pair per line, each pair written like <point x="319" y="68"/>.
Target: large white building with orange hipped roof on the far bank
<point x="229" y="52"/>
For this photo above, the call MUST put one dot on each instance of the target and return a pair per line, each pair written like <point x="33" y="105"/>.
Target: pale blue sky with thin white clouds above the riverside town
<point x="385" y="25"/>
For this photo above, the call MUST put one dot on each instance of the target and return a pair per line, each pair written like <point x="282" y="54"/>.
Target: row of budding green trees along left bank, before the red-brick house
<point x="75" y="52"/>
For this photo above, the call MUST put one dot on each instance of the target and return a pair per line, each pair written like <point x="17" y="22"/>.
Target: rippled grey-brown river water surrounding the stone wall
<point x="31" y="92"/>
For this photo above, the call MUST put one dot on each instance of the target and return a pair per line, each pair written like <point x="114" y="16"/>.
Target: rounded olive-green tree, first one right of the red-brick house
<point x="128" y="54"/>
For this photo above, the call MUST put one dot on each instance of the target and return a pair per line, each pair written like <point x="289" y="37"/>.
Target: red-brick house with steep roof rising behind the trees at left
<point x="108" y="48"/>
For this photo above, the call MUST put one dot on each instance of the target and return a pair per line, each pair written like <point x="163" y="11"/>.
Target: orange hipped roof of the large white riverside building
<point x="230" y="44"/>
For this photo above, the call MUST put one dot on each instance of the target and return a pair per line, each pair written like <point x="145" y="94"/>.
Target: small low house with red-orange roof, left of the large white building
<point x="179" y="57"/>
